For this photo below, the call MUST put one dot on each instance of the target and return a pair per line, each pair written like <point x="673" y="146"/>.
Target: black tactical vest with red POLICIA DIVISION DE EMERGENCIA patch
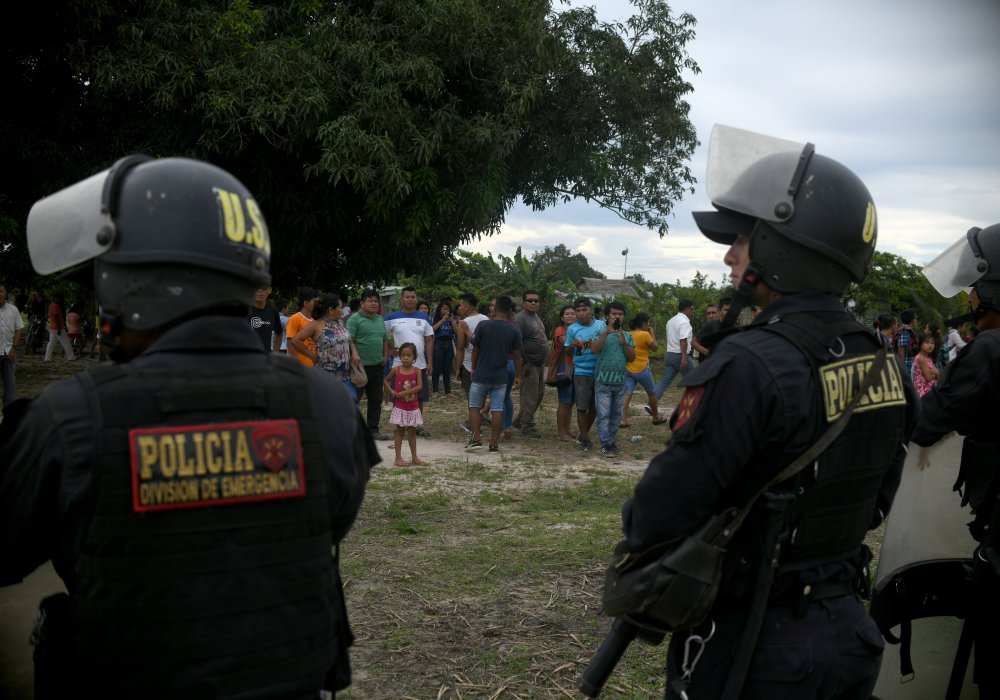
<point x="206" y="570"/>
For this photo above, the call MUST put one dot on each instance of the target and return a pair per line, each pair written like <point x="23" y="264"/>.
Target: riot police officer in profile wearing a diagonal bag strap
<point x="800" y="227"/>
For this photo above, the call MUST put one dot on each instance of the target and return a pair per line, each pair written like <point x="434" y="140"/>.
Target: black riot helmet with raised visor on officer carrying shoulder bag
<point x="811" y="221"/>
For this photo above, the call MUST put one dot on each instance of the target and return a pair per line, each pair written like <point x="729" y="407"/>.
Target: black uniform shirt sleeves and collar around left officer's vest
<point x="45" y="472"/>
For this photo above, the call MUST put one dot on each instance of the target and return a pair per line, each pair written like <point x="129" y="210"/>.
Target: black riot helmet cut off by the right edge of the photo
<point x="971" y="261"/>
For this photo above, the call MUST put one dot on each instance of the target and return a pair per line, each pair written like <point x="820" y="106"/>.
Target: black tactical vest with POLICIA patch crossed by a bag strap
<point x="836" y="496"/>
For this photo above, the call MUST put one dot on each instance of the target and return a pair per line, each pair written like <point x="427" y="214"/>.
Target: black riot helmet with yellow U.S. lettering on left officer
<point x="168" y="238"/>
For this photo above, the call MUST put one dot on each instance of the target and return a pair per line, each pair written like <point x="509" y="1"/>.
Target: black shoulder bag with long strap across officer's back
<point x="673" y="585"/>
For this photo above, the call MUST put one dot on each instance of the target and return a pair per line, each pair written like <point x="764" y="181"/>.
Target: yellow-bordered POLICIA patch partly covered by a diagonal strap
<point x="840" y="380"/>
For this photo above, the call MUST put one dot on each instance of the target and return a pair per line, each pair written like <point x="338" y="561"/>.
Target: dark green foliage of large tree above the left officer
<point x="377" y="134"/>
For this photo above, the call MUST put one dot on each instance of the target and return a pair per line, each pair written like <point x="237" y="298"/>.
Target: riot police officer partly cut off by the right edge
<point x="967" y="400"/>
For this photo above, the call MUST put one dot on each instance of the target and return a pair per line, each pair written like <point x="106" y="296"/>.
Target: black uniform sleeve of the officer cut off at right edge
<point x="967" y="396"/>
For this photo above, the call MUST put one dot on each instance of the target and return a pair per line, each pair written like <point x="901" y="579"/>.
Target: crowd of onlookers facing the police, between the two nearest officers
<point x="490" y="350"/>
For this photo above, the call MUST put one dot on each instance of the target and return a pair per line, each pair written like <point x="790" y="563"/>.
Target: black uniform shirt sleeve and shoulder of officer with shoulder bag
<point x="751" y="408"/>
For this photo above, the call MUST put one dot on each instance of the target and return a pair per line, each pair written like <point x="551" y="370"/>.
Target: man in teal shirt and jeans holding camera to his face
<point x="614" y="348"/>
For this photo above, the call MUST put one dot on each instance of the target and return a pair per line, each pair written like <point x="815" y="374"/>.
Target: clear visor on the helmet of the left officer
<point x="63" y="229"/>
